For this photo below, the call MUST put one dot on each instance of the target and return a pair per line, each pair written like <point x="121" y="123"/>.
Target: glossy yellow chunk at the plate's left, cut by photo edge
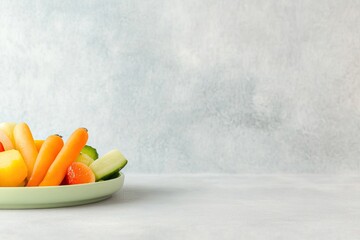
<point x="13" y="170"/>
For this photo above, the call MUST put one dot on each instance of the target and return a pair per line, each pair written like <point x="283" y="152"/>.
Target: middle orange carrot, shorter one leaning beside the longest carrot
<point x="49" y="150"/>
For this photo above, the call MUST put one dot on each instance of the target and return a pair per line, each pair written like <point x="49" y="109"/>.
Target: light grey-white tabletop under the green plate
<point x="204" y="207"/>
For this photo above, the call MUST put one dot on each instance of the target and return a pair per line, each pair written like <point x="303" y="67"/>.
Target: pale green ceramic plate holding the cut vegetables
<point x="58" y="196"/>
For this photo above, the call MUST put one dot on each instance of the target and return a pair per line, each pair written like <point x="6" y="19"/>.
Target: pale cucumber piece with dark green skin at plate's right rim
<point x="109" y="163"/>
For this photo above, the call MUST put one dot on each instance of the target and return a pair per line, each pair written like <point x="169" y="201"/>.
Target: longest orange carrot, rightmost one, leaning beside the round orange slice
<point x="65" y="158"/>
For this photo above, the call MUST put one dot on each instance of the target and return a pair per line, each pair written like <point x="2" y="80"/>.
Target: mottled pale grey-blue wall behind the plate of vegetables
<point x="190" y="86"/>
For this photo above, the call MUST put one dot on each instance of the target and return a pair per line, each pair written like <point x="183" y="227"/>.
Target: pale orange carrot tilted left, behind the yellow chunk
<point x="24" y="142"/>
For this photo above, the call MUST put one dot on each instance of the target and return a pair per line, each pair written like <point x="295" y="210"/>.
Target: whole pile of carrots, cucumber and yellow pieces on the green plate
<point x="52" y="162"/>
